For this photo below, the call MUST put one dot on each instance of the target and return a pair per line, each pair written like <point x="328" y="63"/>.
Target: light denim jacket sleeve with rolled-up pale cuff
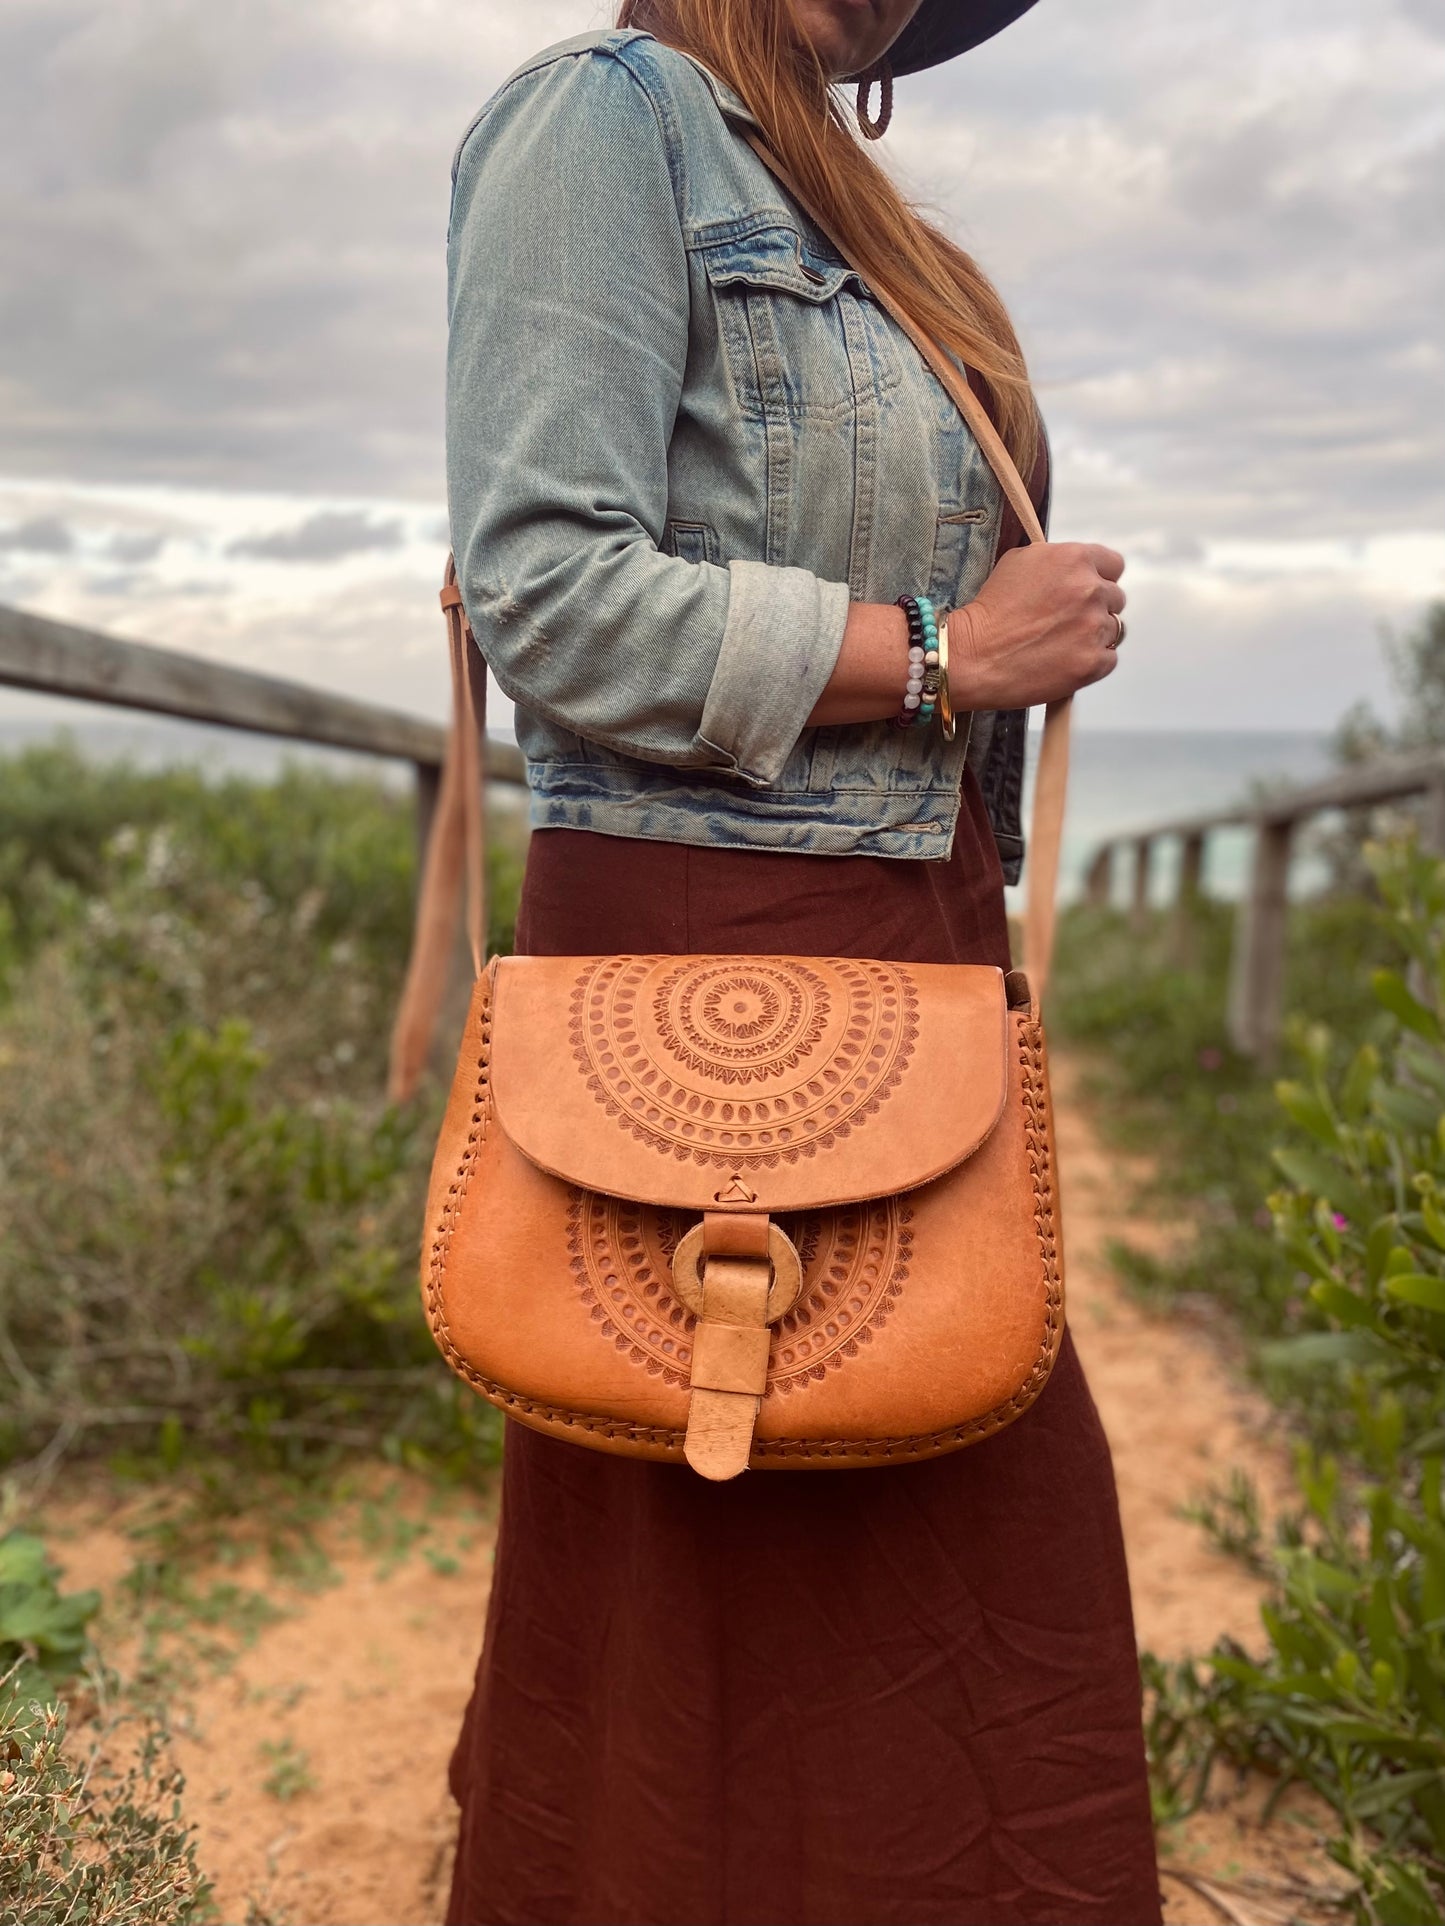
<point x="569" y="340"/>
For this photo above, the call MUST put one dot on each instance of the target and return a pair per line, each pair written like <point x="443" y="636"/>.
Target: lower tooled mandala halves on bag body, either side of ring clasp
<point x="854" y="1270"/>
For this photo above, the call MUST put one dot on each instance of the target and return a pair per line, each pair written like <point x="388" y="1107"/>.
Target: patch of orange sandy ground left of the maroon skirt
<point x="315" y="1746"/>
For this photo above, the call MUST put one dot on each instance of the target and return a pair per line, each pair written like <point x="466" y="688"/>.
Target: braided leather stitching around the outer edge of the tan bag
<point x="1041" y="1166"/>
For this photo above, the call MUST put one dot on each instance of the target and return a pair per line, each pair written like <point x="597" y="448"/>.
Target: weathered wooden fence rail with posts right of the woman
<point x="1257" y="970"/>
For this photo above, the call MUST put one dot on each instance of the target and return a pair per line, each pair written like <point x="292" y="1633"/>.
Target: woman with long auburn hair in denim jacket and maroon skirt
<point x="693" y="465"/>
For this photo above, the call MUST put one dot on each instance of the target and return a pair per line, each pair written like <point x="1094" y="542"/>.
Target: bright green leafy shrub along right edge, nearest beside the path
<point x="1350" y="1694"/>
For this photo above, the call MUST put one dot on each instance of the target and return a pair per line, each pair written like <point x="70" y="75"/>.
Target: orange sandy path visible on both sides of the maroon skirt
<point x="317" y="1754"/>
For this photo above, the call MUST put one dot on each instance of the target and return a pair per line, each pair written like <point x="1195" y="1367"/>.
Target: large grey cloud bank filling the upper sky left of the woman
<point x="224" y="234"/>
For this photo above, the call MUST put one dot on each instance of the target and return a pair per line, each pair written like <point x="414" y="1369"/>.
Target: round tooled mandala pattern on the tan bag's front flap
<point x="743" y="1062"/>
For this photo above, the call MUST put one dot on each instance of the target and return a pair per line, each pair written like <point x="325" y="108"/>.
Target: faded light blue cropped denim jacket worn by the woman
<point x="681" y="438"/>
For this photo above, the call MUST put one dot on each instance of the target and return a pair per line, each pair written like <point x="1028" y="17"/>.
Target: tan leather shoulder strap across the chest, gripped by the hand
<point x="1053" y="775"/>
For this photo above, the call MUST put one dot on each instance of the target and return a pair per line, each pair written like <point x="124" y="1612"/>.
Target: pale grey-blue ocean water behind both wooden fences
<point x="1118" y="781"/>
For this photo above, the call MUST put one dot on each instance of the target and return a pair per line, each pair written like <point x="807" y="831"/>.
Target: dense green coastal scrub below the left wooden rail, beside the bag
<point x="209" y="1214"/>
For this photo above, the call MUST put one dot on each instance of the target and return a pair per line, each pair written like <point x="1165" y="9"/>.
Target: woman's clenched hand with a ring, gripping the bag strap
<point x="1043" y="625"/>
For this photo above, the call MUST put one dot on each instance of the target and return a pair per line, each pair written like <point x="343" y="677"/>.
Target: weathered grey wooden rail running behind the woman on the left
<point x="61" y="660"/>
